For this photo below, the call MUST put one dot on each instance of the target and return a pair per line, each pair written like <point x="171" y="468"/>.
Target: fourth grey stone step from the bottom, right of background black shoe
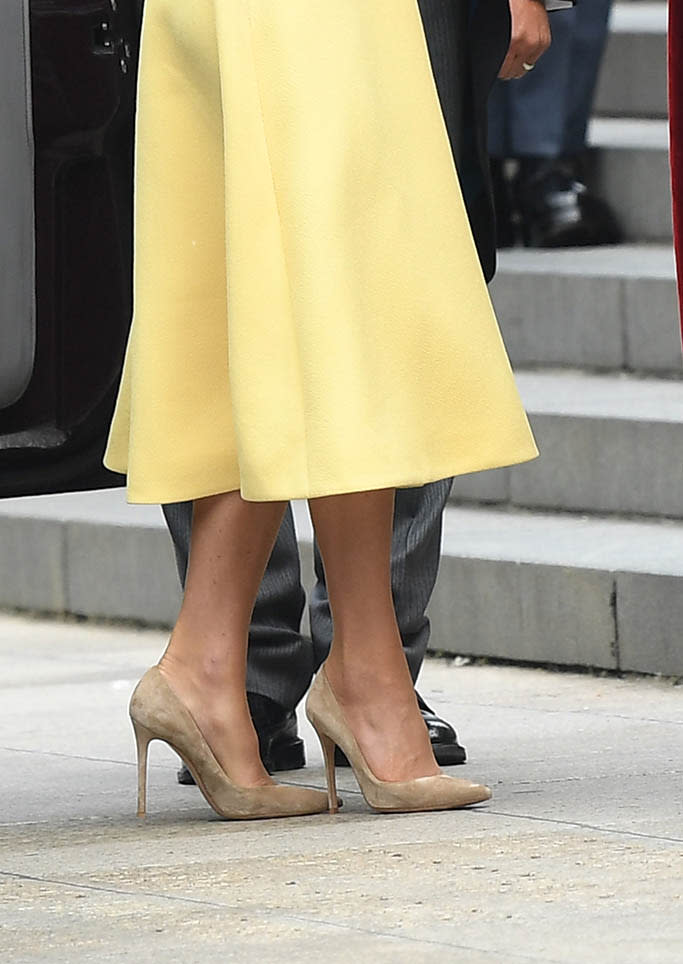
<point x="630" y="170"/>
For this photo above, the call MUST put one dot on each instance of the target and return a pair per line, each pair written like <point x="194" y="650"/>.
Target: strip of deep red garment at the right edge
<point x="676" y="114"/>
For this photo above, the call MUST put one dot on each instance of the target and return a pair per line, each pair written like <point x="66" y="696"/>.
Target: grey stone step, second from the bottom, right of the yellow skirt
<point x="608" y="444"/>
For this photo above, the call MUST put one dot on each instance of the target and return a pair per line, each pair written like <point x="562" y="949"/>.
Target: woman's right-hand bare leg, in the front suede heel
<point x="367" y="667"/>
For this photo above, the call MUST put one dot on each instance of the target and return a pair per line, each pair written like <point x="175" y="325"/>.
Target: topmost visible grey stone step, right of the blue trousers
<point x="633" y="74"/>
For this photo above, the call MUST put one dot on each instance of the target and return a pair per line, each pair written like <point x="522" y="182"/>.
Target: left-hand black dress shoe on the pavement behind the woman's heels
<point x="280" y="745"/>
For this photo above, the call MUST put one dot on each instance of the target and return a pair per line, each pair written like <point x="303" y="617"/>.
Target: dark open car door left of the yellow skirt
<point x="67" y="103"/>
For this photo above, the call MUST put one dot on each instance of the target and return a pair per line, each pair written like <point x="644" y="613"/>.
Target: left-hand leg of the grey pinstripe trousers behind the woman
<point x="280" y="659"/>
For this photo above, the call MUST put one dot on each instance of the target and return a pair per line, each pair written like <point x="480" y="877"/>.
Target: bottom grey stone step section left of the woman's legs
<point x="87" y="554"/>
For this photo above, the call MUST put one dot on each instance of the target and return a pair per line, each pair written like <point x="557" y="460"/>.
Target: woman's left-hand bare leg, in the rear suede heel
<point x="206" y="659"/>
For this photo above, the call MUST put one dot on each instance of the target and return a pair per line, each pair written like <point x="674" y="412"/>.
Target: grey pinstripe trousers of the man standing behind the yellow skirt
<point x="282" y="661"/>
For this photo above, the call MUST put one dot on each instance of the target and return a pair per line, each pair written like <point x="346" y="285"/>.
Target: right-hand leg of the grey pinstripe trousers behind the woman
<point x="416" y="550"/>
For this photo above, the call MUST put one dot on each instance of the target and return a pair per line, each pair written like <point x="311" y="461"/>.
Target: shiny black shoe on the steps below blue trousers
<point x="557" y="210"/>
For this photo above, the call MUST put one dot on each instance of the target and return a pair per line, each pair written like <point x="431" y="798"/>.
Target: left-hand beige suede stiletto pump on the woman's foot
<point x="158" y="714"/>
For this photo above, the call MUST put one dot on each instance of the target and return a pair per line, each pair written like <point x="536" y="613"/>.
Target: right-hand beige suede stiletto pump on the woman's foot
<point x="439" y="792"/>
